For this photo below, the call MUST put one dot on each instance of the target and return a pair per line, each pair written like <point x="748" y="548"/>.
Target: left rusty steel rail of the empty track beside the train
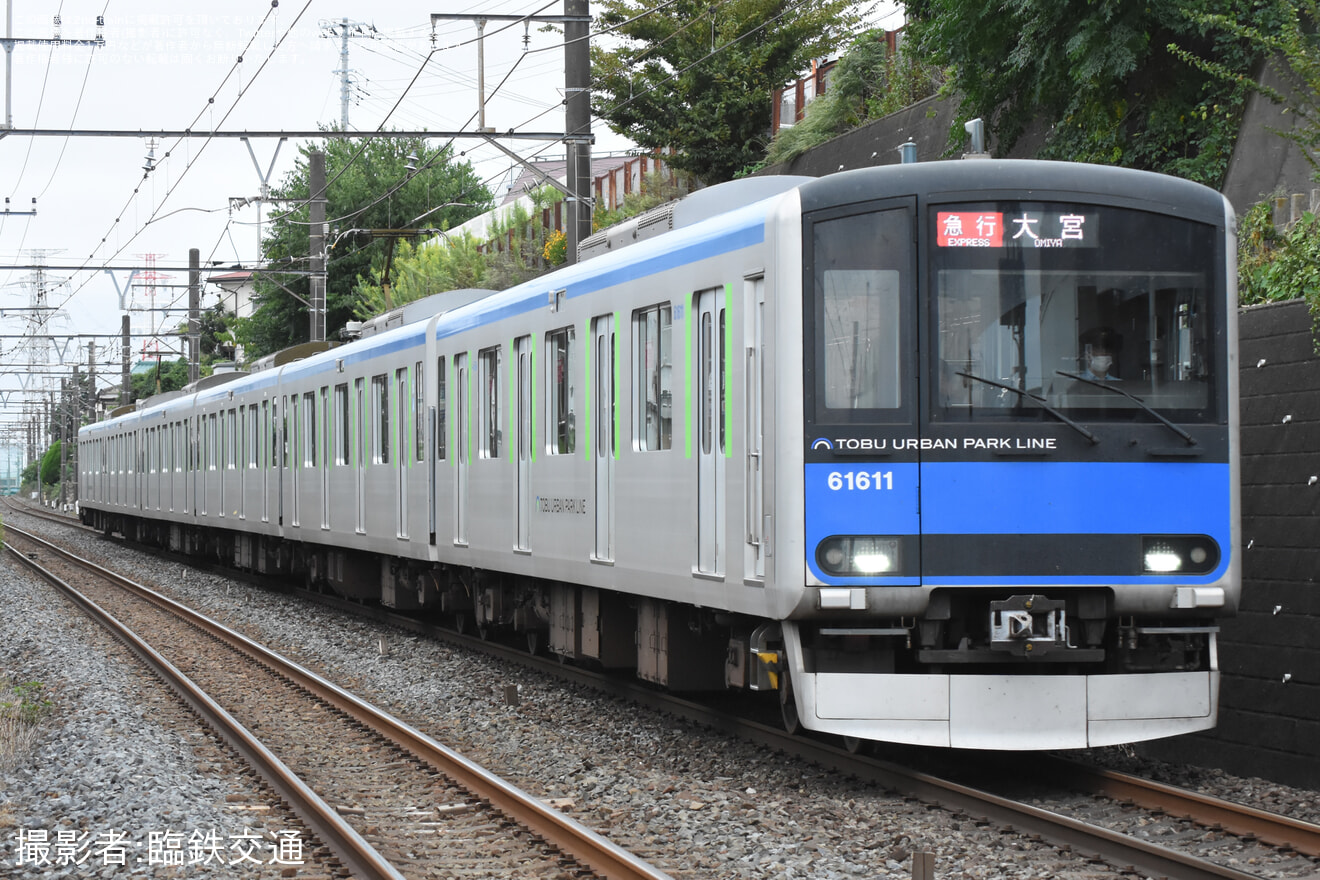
<point x="321" y="819"/>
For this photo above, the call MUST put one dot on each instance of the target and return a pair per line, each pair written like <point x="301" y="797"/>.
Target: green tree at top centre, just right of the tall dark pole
<point x="696" y="77"/>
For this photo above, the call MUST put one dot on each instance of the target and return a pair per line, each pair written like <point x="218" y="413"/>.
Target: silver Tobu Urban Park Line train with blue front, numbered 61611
<point x="939" y="453"/>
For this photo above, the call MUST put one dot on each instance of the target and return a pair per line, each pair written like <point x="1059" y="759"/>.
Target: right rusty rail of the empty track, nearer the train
<point x="563" y="832"/>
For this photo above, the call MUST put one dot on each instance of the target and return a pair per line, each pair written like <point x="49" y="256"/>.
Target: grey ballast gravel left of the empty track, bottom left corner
<point x="119" y="780"/>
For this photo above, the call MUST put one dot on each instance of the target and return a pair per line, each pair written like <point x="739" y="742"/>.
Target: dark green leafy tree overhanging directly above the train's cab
<point x="1100" y="75"/>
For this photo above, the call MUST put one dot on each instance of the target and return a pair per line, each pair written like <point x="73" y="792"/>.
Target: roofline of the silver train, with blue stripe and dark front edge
<point x="703" y="232"/>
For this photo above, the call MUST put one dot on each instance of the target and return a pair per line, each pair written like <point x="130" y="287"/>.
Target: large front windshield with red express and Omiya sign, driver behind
<point x="1072" y="304"/>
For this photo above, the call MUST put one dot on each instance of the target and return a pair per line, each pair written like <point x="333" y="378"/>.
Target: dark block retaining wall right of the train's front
<point x="1270" y="654"/>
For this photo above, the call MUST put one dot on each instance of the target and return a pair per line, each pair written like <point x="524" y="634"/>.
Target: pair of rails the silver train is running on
<point x="1124" y="852"/>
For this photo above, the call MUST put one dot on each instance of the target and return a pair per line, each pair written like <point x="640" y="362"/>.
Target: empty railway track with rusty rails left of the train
<point x="387" y="800"/>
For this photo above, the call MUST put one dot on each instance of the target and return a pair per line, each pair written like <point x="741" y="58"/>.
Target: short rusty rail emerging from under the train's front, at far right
<point x="1207" y="811"/>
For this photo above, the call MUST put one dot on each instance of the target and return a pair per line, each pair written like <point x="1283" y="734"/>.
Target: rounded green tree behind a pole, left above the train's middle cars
<point x="369" y="185"/>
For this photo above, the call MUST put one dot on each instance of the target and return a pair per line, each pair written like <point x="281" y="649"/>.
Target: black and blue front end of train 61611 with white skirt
<point x="1020" y="505"/>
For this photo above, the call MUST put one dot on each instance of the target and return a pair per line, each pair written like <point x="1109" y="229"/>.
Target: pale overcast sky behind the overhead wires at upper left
<point x="240" y="65"/>
